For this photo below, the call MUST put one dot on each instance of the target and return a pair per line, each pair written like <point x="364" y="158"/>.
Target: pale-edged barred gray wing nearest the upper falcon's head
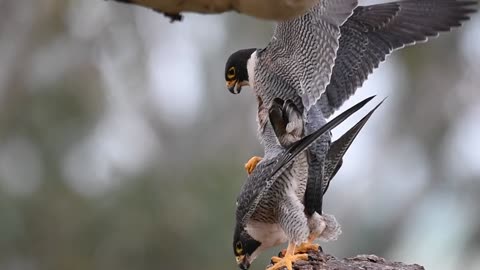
<point x="302" y="52"/>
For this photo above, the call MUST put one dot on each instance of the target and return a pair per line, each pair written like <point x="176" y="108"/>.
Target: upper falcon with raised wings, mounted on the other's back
<point x="318" y="60"/>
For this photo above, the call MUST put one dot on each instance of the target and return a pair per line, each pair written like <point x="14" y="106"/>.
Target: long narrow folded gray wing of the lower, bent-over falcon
<point x="266" y="173"/>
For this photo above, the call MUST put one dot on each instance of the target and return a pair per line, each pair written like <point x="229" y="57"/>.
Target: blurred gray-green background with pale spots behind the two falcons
<point x="120" y="147"/>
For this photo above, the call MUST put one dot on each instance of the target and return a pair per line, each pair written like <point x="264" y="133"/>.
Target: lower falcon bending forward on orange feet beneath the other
<point x="270" y="208"/>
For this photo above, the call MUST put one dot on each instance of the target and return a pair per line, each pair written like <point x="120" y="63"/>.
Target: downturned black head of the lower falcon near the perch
<point x="245" y="248"/>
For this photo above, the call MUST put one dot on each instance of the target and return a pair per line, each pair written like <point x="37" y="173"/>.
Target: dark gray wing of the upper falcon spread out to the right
<point x="373" y="32"/>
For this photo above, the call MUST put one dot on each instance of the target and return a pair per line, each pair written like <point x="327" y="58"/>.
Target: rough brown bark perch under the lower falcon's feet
<point x="322" y="261"/>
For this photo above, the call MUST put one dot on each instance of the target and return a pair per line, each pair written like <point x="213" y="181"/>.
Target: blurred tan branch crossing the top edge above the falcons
<point x="263" y="9"/>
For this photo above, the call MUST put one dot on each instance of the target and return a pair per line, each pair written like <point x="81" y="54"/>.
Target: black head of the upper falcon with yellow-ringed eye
<point x="236" y="71"/>
